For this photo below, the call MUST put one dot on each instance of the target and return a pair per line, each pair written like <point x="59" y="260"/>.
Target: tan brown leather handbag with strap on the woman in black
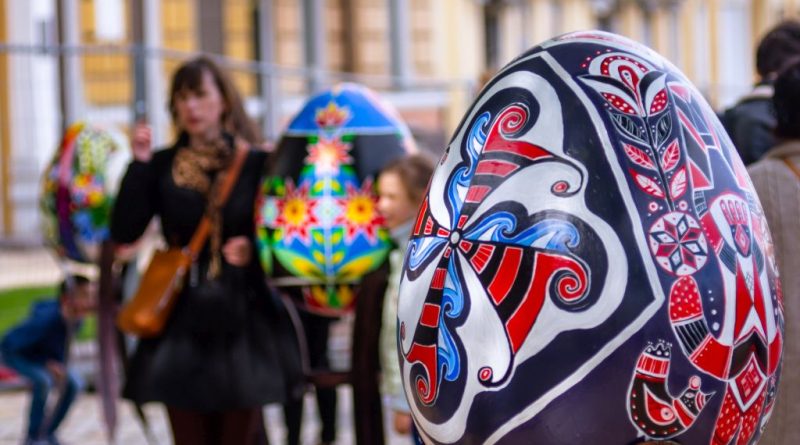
<point x="146" y="314"/>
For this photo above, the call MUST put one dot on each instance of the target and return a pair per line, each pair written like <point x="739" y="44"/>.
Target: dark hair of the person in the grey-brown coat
<point x="786" y="101"/>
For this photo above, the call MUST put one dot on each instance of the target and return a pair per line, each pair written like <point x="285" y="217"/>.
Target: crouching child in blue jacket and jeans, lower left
<point x="36" y="349"/>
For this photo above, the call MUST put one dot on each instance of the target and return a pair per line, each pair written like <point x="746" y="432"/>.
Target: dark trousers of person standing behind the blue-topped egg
<point x="317" y="331"/>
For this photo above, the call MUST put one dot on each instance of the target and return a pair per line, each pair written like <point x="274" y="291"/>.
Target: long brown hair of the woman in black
<point x="189" y="76"/>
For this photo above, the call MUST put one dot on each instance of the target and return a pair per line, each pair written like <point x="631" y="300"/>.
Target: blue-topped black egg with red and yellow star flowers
<point x="319" y="229"/>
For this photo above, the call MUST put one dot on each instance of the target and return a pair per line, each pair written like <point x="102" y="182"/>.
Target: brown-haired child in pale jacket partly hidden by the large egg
<point x="401" y="188"/>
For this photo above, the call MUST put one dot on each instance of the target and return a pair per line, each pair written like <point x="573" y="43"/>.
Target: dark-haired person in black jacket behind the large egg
<point x="750" y="122"/>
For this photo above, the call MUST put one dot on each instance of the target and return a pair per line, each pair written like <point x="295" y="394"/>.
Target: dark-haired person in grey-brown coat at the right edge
<point x="776" y="179"/>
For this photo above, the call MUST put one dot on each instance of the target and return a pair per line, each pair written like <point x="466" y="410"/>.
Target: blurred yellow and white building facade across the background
<point x="64" y="60"/>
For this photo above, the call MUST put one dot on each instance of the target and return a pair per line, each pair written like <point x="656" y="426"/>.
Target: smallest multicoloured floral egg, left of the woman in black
<point x="78" y="191"/>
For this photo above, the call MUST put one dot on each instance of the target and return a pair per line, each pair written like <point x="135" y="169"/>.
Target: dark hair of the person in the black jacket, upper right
<point x="780" y="44"/>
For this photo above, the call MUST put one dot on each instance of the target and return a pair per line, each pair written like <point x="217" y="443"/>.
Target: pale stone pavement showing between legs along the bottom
<point x="84" y="425"/>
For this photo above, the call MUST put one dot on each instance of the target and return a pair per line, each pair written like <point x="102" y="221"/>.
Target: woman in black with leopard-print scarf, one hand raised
<point x="227" y="349"/>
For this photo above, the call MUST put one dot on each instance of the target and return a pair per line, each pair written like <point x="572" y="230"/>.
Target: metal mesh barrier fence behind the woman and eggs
<point x="50" y="86"/>
